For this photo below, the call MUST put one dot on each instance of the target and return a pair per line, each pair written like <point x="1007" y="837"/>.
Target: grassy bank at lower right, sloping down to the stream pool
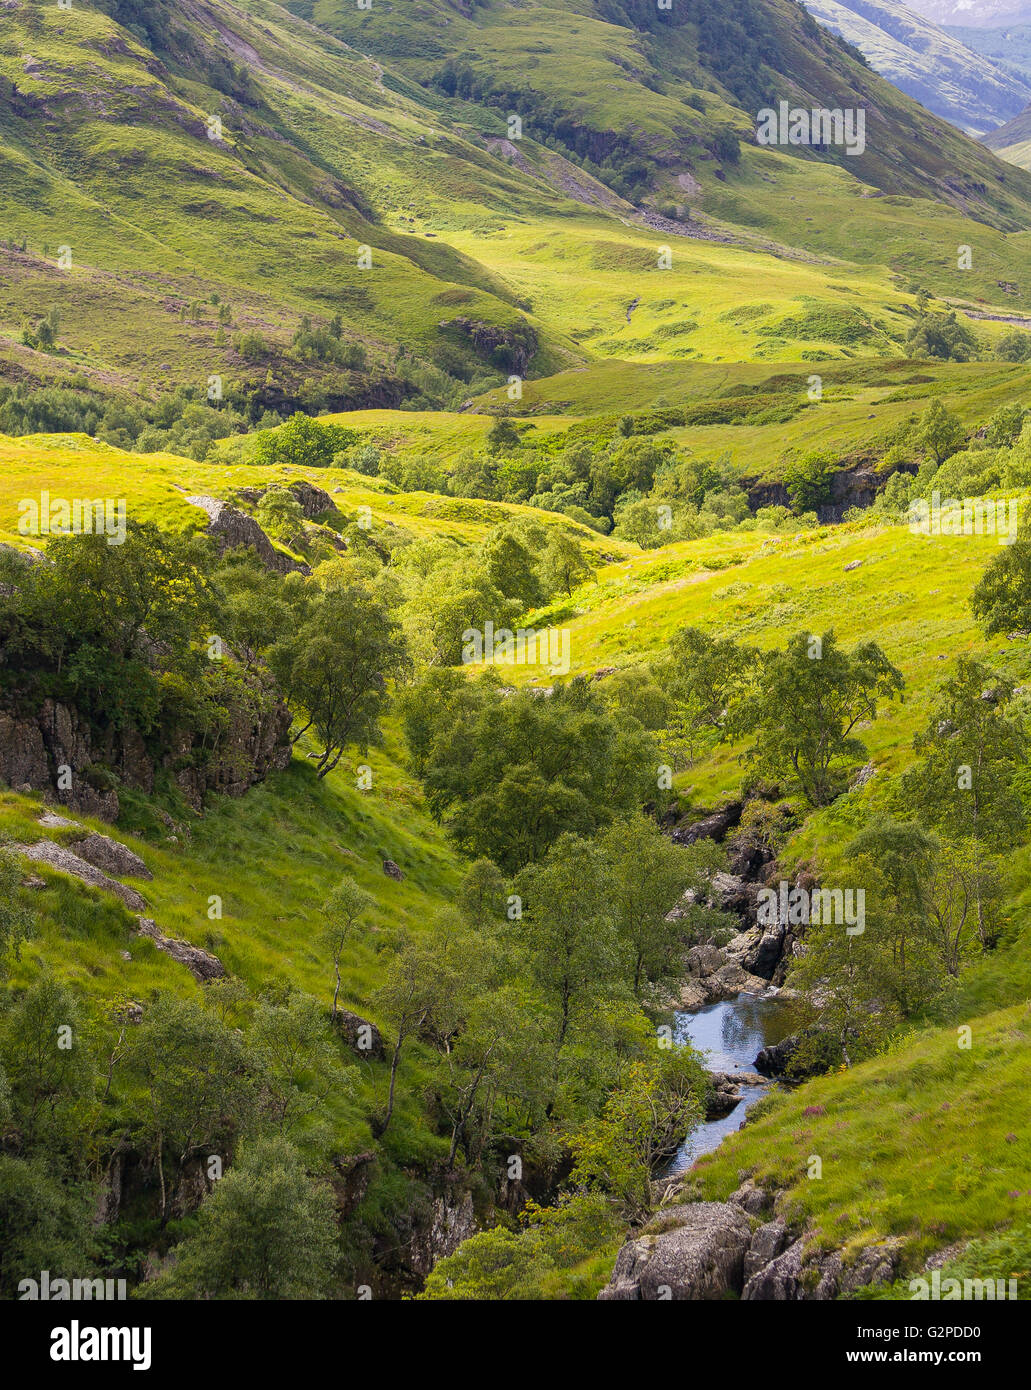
<point x="927" y="1143"/>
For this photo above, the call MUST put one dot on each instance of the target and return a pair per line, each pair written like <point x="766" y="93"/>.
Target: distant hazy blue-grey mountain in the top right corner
<point x="934" y="67"/>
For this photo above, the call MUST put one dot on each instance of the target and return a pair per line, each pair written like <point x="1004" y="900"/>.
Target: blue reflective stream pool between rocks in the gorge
<point x="730" y="1035"/>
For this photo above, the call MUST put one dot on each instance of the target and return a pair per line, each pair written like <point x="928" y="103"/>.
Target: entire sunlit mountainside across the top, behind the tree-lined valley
<point x="384" y="191"/>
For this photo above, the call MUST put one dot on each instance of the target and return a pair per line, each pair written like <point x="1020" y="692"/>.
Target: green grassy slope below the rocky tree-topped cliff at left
<point x="273" y="858"/>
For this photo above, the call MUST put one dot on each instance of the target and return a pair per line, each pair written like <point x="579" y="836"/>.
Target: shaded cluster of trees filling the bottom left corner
<point x="188" y="1092"/>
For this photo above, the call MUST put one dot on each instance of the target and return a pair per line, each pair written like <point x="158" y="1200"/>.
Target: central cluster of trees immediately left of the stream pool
<point x="530" y="996"/>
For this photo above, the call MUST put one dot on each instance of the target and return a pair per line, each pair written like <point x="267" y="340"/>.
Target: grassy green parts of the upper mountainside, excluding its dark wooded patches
<point x="105" y="151"/>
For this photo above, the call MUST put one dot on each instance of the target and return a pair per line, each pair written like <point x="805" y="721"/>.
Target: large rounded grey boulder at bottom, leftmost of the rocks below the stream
<point x="686" y="1253"/>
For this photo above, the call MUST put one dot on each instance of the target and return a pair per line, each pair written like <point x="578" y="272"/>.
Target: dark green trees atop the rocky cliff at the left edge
<point x="124" y="635"/>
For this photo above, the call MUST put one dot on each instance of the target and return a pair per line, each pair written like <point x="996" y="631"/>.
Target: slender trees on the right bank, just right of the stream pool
<point x="930" y="864"/>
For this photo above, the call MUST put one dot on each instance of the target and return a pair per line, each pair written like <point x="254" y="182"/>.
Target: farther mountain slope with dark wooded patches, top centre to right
<point x="734" y="58"/>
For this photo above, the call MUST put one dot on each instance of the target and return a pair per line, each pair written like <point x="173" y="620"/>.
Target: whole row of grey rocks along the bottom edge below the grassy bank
<point x="705" y="1252"/>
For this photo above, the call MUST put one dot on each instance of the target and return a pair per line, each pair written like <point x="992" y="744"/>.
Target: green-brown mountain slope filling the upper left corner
<point x="108" y="151"/>
